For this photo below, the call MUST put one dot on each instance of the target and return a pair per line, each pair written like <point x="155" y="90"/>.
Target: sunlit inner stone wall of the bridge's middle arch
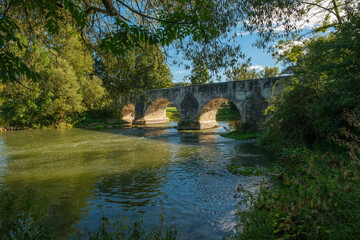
<point x="155" y="112"/>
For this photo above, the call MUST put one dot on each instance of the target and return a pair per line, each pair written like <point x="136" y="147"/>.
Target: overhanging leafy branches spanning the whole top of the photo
<point x="198" y="29"/>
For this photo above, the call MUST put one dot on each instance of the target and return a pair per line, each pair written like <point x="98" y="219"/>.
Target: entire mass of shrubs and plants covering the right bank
<point x="314" y="126"/>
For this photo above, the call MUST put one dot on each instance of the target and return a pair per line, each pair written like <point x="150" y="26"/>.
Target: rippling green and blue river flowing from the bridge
<point x="130" y="172"/>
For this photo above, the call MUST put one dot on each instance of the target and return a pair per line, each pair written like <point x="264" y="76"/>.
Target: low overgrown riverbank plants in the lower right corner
<point x="315" y="195"/>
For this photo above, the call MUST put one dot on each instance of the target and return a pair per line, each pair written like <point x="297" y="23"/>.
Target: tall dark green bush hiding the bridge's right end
<point x="327" y="82"/>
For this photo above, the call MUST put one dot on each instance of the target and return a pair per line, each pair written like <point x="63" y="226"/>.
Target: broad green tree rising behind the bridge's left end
<point x="139" y="69"/>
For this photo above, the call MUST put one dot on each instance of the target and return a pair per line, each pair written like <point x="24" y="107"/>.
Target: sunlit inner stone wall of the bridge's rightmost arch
<point x="209" y="111"/>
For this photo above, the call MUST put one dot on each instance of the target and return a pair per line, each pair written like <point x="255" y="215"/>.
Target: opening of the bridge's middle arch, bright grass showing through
<point x="156" y="112"/>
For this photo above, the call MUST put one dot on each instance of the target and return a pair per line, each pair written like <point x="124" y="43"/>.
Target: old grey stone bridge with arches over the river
<point x="198" y="104"/>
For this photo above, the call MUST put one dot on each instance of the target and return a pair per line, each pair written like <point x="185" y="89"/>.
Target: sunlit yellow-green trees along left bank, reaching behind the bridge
<point x="74" y="85"/>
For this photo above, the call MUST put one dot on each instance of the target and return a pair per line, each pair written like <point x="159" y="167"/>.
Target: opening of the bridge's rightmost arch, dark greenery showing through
<point x="218" y="109"/>
